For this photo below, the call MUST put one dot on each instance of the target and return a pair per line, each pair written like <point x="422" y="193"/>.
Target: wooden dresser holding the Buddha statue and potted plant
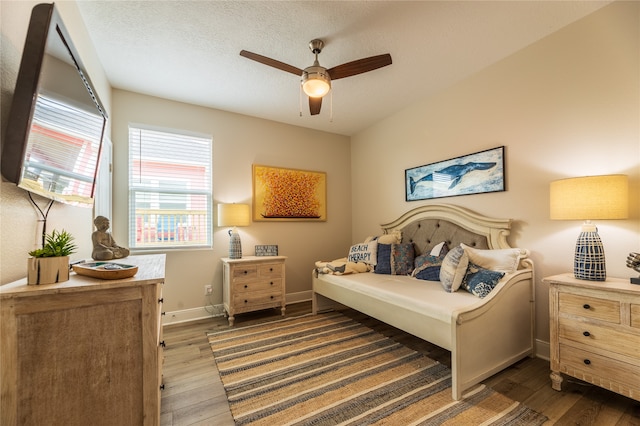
<point x="85" y="351"/>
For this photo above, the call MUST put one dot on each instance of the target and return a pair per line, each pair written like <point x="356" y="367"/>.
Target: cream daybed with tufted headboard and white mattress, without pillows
<point x="484" y="335"/>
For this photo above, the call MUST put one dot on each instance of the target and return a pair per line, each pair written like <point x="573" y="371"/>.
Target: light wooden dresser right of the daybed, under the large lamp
<point x="595" y="332"/>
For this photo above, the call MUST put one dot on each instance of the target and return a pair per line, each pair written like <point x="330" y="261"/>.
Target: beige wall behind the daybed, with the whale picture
<point x="568" y="105"/>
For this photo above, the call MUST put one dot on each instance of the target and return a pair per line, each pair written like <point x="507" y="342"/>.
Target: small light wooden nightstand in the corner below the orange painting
<point x="253" y="283"/>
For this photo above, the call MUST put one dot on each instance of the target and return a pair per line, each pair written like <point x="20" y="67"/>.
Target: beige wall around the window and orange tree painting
<point x="238" y="142"/>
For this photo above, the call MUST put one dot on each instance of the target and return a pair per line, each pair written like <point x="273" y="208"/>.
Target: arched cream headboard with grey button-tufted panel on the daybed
<point x="427" y="226"/>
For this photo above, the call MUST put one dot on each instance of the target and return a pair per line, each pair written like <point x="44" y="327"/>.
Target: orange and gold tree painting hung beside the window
<point x="283" y="194"/>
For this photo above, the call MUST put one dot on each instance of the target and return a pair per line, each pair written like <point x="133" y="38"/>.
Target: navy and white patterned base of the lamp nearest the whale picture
<point x="589" y="262"/>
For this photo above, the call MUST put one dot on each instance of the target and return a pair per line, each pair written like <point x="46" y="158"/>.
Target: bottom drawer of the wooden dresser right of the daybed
<point x="599" y="370"/>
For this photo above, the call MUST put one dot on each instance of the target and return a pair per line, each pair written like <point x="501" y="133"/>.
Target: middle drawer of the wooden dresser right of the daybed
<point x="614" y="340"/>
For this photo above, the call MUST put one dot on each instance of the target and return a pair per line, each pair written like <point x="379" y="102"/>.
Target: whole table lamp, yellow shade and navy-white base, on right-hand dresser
<point x="589" y="198"/>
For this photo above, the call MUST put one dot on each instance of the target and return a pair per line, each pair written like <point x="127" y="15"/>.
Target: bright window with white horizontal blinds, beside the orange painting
<point x="169" y="189"/>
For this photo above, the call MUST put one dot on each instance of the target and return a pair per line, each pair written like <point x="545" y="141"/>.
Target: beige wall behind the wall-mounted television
<point x="19" y="227"/>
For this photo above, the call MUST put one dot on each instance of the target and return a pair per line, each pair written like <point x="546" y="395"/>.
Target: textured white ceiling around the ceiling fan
<point x="189" y="50"/>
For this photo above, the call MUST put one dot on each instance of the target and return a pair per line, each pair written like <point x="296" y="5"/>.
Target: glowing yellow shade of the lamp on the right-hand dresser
<point x="590" y="197"/>
